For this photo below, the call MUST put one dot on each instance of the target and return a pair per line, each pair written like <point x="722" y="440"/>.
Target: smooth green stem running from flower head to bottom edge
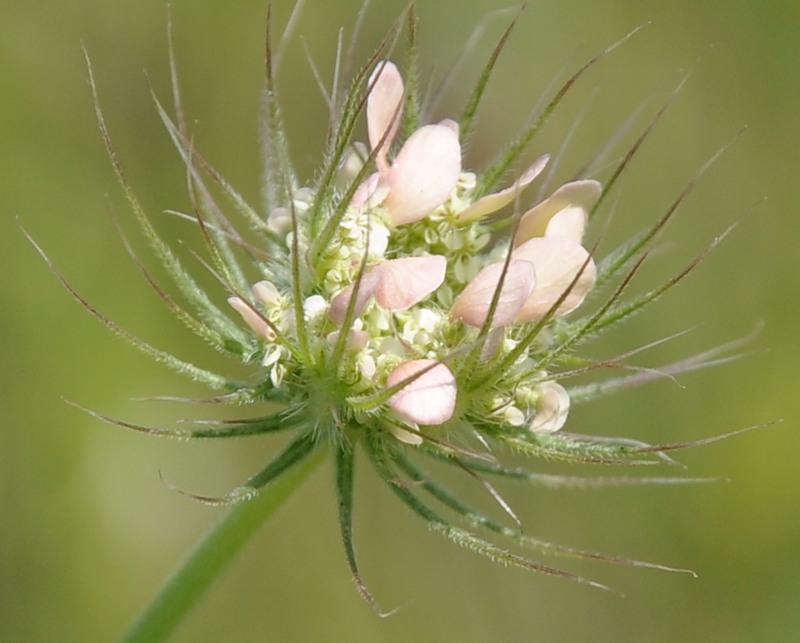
<point x="184" y="589"/>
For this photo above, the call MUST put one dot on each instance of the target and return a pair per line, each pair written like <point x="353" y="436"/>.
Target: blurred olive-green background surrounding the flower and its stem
<point x="87" y="528"/>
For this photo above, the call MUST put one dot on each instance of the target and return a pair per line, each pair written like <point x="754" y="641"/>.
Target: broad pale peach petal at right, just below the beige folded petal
<point x="556" y="261"/>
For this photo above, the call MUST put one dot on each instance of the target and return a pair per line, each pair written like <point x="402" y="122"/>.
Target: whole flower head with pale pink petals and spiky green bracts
<point x="401" y="304"/>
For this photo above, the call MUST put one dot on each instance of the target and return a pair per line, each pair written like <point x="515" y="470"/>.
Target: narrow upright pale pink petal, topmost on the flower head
<point x="384" y="109"/>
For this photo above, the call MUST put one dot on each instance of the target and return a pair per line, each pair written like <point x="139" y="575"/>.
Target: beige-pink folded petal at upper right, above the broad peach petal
<point x="579" y="196"/>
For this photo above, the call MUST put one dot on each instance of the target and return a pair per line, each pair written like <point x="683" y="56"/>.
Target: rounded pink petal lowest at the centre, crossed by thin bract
<point x="428" y="399"/>
